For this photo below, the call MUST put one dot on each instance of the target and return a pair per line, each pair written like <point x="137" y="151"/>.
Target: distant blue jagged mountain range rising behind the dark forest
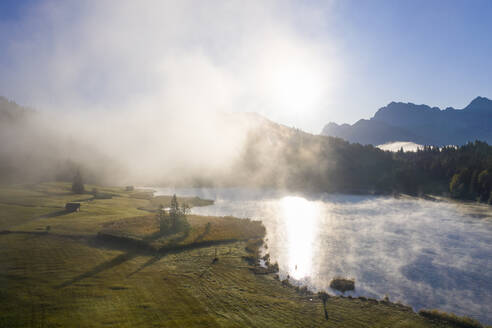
<point x="420" y="124"/>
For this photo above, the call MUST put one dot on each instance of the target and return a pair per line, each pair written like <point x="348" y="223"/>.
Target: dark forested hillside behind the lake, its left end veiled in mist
<point x="279" y="156"/>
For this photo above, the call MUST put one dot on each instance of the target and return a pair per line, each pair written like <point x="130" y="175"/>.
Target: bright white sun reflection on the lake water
<point x="300" y="219"/>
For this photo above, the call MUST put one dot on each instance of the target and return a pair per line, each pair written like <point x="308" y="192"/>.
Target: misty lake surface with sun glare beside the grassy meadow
<point x="422" y="253"/>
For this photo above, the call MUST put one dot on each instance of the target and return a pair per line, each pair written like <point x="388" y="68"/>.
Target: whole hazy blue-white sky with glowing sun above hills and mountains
<point x="301" y="63"/>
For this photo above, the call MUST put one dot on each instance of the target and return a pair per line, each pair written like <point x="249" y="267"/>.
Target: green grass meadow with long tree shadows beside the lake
<point x="68" y="277"/>
